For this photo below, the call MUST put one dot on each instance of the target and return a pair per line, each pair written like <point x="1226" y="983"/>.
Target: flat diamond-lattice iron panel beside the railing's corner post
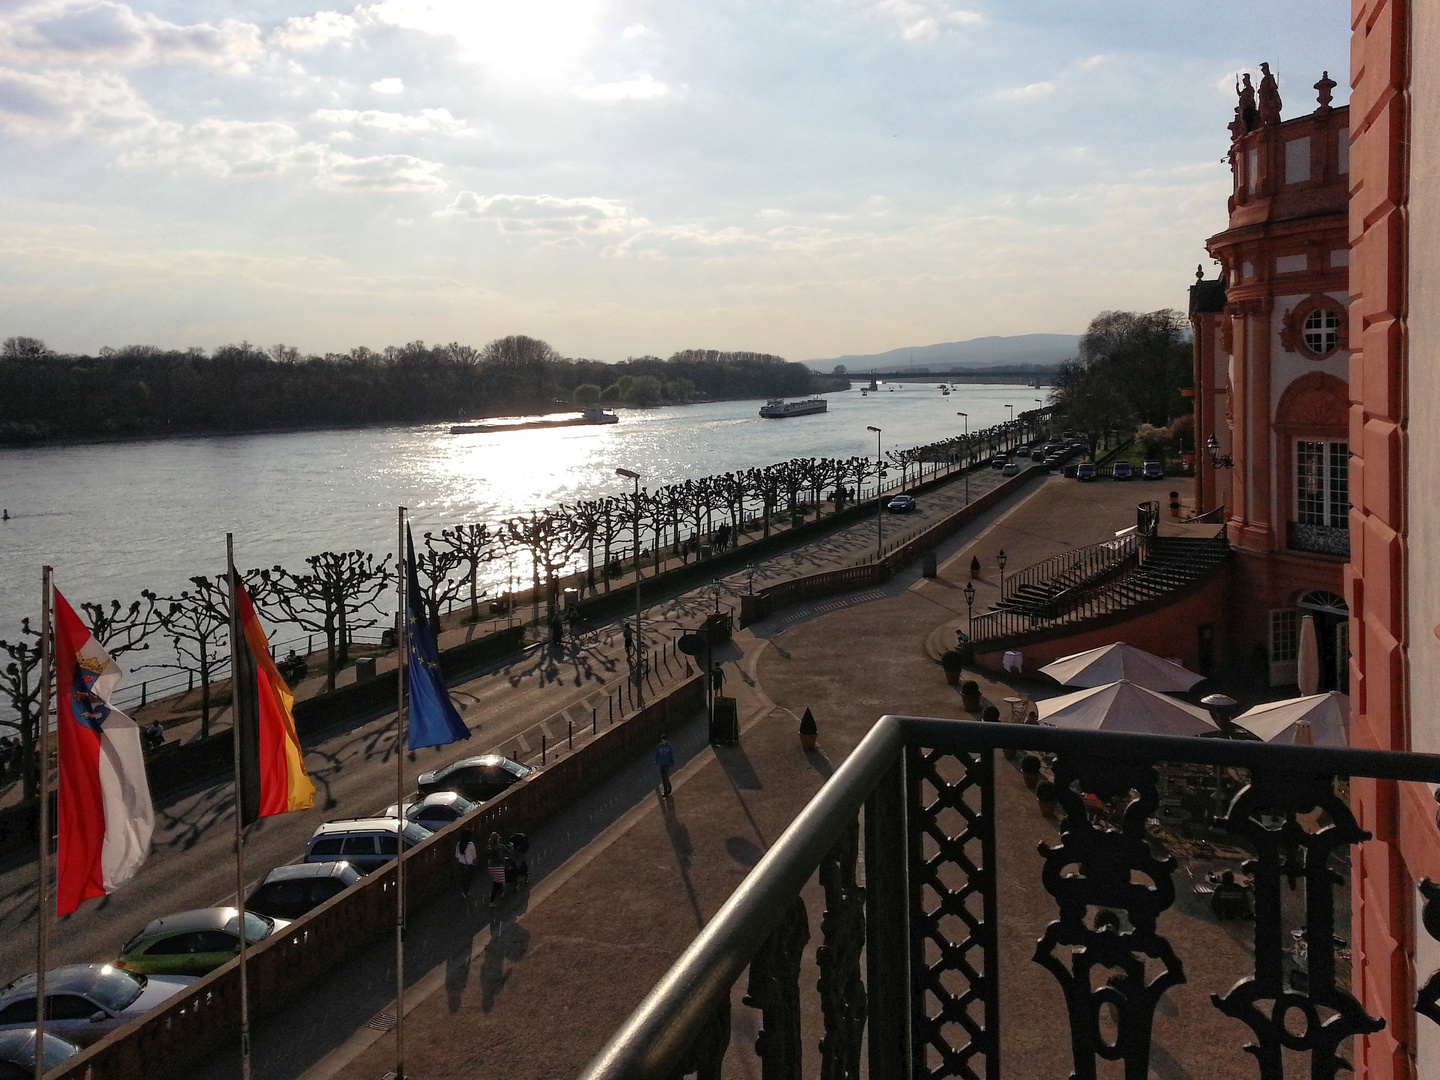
<point x="976" y="960"/>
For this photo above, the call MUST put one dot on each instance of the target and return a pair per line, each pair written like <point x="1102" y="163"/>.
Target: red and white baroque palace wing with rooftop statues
<point x="1272" y="369"/>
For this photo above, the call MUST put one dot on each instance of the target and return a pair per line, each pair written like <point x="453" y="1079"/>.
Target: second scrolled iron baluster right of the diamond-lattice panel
<point x="1266" y="1002"/>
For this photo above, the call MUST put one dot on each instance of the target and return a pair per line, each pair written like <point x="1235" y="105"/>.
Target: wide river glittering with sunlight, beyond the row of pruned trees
<point x="116" y="519"/>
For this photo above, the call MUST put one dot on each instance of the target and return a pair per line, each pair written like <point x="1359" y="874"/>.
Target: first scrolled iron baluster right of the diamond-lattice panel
<point x="1099" y="866"/>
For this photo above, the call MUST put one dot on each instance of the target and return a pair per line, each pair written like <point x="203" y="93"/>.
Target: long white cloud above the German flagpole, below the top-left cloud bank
<point x="225" y="149"/>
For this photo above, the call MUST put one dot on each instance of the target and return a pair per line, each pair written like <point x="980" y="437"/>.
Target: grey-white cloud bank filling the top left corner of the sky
<point x="114" y="34"/>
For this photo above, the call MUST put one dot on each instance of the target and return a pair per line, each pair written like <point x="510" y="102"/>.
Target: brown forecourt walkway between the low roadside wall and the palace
<point x="535" y="987"/>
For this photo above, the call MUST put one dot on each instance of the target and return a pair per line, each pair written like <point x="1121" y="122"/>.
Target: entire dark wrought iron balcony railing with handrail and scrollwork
<point x="911" y="944"/>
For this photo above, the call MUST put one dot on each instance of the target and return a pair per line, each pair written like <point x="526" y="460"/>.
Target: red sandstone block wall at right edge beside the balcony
<point x="1393" y="580"/>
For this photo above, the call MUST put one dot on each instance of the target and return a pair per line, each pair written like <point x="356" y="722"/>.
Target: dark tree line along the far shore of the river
<point x="142" y="391"/>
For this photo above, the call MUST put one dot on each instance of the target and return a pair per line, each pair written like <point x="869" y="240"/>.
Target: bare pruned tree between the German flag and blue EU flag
<point x="336" y="598"/>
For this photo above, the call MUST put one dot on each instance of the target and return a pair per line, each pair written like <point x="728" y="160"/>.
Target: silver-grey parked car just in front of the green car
<point x="87" y="1002"/>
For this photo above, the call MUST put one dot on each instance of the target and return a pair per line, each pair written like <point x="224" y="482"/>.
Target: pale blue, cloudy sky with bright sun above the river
<point x="620" y="178"/>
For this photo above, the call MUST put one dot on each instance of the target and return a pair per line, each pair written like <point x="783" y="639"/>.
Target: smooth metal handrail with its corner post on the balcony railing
<point x="657" y="1036"/>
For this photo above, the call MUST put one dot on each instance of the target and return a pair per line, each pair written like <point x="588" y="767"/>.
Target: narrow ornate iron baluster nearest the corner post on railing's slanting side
<point x="842" y="990"/>
